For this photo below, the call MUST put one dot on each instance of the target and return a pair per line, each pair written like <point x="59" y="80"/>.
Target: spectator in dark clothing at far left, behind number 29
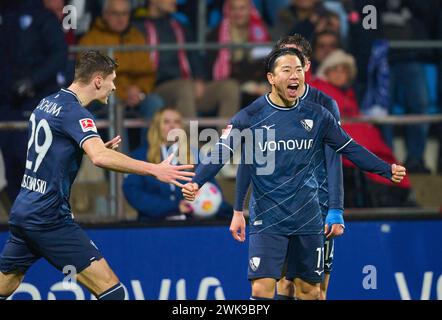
<point x="33" y="51"/>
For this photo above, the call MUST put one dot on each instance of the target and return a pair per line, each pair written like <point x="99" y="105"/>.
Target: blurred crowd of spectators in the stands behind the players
<point x="352" y="64"/>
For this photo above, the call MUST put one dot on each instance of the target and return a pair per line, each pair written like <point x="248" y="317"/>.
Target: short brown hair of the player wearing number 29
<point x="91" y="62"/>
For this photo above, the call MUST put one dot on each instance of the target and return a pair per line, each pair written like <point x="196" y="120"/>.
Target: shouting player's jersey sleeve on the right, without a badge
<point x="341" y="142"/>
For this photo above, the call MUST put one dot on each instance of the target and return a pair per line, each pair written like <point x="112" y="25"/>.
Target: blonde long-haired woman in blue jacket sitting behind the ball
<point x="154" y="199"/>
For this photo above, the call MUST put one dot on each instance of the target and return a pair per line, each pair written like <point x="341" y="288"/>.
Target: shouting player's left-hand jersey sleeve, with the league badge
<point x="223" y="150"/>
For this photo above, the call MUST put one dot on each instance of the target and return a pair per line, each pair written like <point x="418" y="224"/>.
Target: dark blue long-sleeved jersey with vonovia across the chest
<point x="285" y="154"/>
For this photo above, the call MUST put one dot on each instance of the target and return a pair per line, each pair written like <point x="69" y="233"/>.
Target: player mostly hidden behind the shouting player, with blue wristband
<point x="329" y="176"/>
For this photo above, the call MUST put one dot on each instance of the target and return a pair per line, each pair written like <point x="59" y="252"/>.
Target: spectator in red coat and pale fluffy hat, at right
<point x="335" y="77"/>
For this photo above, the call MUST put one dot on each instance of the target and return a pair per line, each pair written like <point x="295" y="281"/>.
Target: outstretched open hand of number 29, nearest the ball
<point x="168" y="173"/>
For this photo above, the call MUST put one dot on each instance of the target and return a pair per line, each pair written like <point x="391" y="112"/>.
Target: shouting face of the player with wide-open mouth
<point x="287" y="79"/>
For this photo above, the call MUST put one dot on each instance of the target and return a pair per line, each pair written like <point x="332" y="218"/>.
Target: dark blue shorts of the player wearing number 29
<point x="64" y="245"/>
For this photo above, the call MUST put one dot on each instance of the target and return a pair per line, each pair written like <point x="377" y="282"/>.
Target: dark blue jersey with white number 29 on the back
<point x="58" y="127"/>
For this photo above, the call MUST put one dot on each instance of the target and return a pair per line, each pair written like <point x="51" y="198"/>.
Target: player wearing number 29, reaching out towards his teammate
<point x="41" y="222"/>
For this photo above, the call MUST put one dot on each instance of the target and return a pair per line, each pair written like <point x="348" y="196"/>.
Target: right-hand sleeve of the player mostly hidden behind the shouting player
<point x="333" y="162"/>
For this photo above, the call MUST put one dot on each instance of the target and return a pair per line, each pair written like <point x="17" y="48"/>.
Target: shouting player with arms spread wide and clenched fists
<point x="286" y="224"/>
